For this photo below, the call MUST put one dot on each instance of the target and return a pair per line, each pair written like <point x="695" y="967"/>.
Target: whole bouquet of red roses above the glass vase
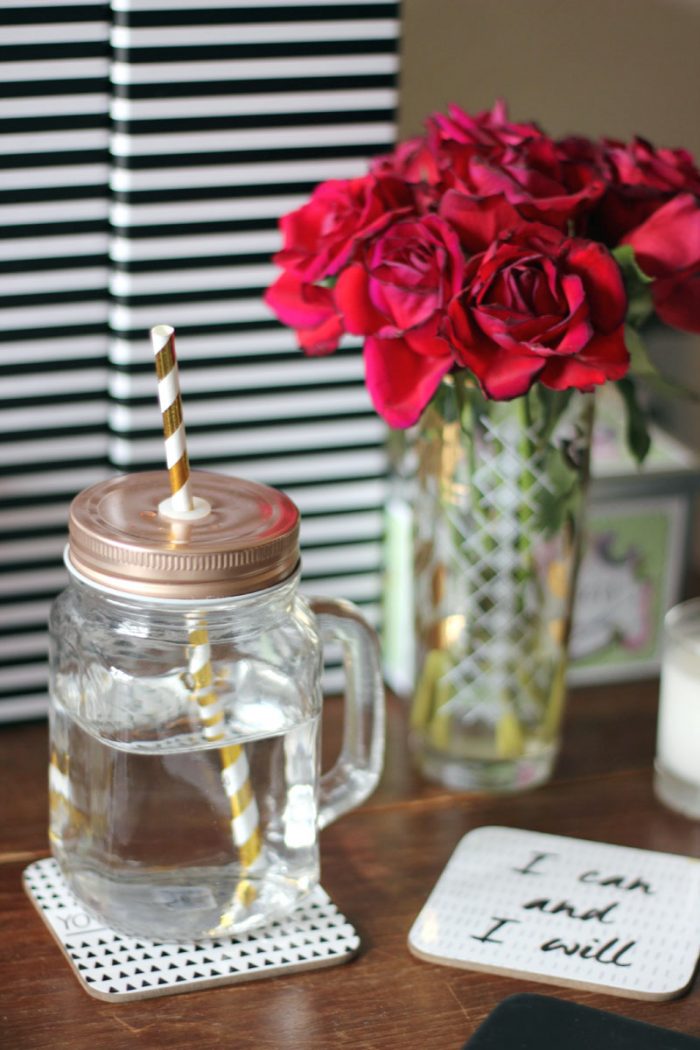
<point x="487" y="246"/>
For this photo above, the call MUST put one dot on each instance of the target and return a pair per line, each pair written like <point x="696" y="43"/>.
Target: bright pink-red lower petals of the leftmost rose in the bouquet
<point x="308" y="309"/>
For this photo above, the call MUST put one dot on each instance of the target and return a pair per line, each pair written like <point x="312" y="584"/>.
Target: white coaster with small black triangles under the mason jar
<point x="116" y="968"/>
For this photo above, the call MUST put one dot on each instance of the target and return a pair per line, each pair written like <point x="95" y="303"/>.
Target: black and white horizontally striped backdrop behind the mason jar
<point x="149" y="149"/>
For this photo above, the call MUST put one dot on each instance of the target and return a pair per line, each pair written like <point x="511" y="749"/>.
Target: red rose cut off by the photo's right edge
<point x="668" y="248"/>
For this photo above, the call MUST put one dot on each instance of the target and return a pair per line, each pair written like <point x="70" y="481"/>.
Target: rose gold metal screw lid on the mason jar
<point x="249" y="541"/>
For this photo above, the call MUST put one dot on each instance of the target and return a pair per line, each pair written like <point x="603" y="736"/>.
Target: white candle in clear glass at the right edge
<point x="678" y="740"/>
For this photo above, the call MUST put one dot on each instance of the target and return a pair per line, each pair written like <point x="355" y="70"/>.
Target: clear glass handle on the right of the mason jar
<point x="356" y="773"/>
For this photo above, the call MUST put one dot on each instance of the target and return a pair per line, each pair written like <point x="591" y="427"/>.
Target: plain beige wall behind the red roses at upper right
<point x="616" y="68"/>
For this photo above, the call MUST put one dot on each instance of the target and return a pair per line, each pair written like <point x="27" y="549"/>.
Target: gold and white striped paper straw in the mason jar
<point x="236" y="774"/>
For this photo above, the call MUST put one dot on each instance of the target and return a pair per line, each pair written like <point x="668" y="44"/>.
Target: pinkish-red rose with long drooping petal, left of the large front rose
<point x="397" y="296"/>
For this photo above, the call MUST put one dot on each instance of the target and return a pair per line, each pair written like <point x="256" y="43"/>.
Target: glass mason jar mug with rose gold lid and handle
<point x="186" y="795"/>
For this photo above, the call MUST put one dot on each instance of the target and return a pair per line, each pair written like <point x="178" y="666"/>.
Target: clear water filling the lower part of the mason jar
<point x="143" y="829"/>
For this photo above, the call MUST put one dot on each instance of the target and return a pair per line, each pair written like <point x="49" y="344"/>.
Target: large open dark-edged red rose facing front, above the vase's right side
<point x="539" y="306"/>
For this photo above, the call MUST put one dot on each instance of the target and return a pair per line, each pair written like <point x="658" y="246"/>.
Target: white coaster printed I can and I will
<point x="585" y="915"/>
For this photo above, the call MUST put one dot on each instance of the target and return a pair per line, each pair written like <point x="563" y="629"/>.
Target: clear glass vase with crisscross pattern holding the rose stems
<point x="499" y="496"/>
